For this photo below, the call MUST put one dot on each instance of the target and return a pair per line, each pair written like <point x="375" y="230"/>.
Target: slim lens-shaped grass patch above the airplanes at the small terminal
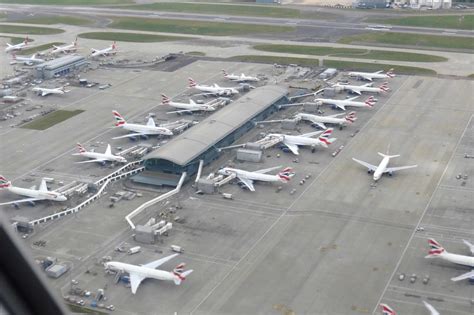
<point x="131" y="37"/>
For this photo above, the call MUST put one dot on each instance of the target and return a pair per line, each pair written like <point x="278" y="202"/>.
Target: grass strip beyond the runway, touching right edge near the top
<point x="439" y="21"/>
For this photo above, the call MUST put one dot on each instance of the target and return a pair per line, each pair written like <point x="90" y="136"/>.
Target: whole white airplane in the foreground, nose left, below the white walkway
<point x="140" y="273"/>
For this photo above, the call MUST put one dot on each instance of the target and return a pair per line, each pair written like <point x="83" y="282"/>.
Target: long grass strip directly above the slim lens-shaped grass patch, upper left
<point x="194" y="27"/>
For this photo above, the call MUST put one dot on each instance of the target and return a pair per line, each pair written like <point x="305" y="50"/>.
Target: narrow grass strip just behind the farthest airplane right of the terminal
<point x="363" y="66"/>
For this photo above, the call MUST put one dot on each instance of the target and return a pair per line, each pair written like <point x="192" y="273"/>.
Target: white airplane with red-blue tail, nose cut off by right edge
<point x="437" y="251"/>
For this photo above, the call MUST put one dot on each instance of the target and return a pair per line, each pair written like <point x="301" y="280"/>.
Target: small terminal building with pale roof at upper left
<point x="60" y="66"/>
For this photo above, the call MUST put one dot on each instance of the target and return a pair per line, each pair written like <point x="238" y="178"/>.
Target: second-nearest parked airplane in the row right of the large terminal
<point x="292" y="142"/>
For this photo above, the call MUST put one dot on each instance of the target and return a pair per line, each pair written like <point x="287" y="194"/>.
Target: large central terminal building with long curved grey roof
<point x="201" y="142"/>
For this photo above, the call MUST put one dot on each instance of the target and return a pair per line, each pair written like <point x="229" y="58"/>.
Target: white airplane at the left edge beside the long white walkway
<point x="34" y="194"/>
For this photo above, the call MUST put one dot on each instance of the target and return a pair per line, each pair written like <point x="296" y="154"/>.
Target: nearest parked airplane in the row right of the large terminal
<point x="247" y="177"/>
